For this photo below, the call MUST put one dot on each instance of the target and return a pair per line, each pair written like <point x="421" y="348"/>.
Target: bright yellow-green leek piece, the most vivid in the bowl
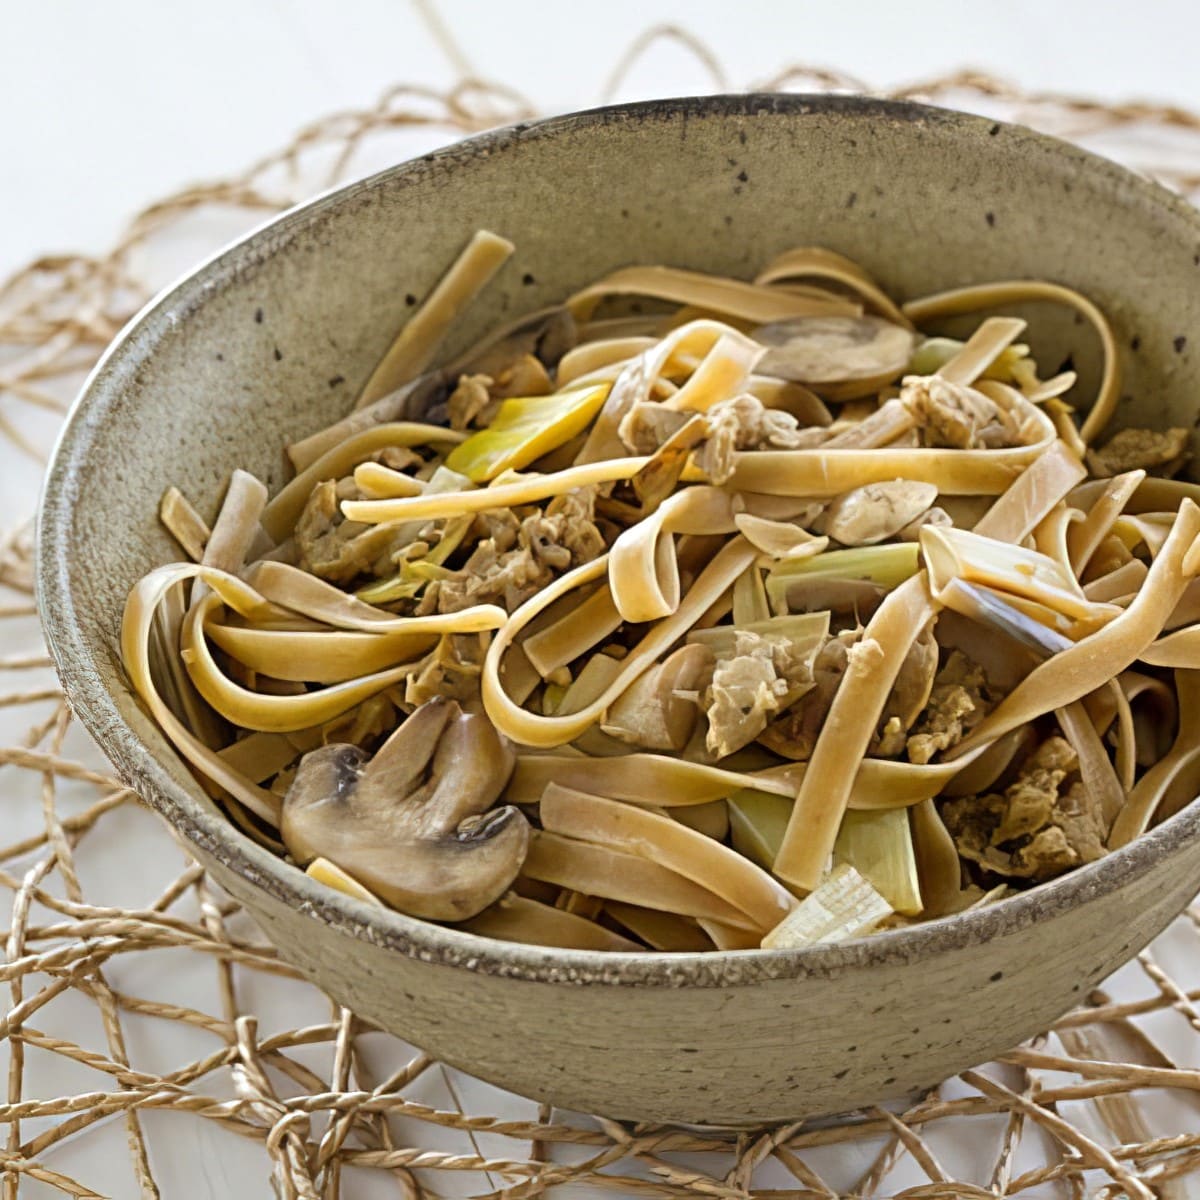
<point x="526" y="429"/>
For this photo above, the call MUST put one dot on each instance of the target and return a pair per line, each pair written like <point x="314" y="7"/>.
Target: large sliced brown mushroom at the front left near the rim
<point x="415" y="825"/>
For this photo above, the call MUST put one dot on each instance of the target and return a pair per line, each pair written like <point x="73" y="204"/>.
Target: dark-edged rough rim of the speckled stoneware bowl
<point x="208" y="830"/>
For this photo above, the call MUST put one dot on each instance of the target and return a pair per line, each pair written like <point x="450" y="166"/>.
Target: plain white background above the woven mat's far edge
<point x="106" y="106"/>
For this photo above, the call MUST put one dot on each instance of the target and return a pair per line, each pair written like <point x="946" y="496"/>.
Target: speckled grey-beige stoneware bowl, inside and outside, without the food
<point x="272" y="340"/>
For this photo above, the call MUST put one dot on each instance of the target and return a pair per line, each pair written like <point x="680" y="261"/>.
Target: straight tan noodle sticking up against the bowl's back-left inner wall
<point x="417" y="344"/>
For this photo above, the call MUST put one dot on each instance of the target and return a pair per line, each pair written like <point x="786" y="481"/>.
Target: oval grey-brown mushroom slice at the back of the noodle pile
<point x="839" y="358"/>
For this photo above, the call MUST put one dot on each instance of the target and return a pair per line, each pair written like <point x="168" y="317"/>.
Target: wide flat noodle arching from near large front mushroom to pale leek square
<point x="670" y="844"/>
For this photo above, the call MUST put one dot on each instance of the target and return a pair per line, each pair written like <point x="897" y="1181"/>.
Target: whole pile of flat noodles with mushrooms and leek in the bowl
<point x="695" y="615"/>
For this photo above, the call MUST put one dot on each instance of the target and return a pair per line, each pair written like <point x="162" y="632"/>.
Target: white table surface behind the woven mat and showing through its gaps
<point x="105" y="107"/>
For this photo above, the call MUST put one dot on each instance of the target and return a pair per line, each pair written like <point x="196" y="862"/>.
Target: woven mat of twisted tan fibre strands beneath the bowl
<point x="1106" y="1105"/>
